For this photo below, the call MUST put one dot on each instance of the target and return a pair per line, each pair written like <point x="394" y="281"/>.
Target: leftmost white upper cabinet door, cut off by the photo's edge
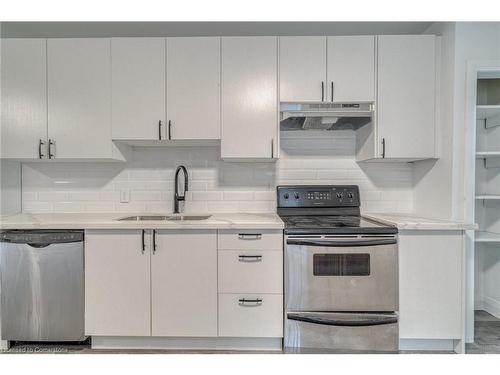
<point x="24" y="97"/>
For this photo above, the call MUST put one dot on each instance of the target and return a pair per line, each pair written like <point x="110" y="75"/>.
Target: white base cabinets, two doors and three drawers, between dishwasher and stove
<point x="168" y="283"/>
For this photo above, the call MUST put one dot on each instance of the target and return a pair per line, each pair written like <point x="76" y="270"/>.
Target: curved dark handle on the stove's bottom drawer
<point x="375" y="321"/>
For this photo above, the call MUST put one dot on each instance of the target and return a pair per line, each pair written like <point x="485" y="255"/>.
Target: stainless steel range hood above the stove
<point x="325" y="116"/>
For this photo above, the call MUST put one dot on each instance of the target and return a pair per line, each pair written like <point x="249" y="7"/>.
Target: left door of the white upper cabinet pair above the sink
<point x="138" y="87"/>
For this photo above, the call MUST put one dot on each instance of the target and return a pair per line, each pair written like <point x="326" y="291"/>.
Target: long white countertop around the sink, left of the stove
<point x="109" y="221"/>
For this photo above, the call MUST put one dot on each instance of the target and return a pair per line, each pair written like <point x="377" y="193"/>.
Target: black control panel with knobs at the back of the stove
<point x="318" y="196"/>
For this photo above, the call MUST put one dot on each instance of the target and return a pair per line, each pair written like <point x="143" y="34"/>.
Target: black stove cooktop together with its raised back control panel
<point x="325" y="209"/>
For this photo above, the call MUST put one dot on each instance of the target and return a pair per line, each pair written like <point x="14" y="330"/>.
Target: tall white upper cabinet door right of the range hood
<point x="406" y="96"/>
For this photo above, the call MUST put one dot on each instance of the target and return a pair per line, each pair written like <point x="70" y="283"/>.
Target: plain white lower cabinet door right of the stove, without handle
<point x="430" y="285"/>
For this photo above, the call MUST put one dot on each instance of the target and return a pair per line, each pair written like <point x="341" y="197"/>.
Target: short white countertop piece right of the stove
<point x="412" y="222"/>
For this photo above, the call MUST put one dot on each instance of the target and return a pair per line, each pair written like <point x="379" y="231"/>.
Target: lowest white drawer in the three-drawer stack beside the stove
<point x="239" y="318"/>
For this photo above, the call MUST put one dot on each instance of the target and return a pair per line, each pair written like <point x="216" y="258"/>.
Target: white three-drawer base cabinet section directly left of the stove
<point x="250" y="283"/>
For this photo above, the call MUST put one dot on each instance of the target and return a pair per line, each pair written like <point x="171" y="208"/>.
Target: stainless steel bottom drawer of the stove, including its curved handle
<point x="342" y="331"/>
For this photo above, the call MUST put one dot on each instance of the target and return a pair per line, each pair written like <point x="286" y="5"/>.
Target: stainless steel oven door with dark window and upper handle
<point x="344" y="273"/>
